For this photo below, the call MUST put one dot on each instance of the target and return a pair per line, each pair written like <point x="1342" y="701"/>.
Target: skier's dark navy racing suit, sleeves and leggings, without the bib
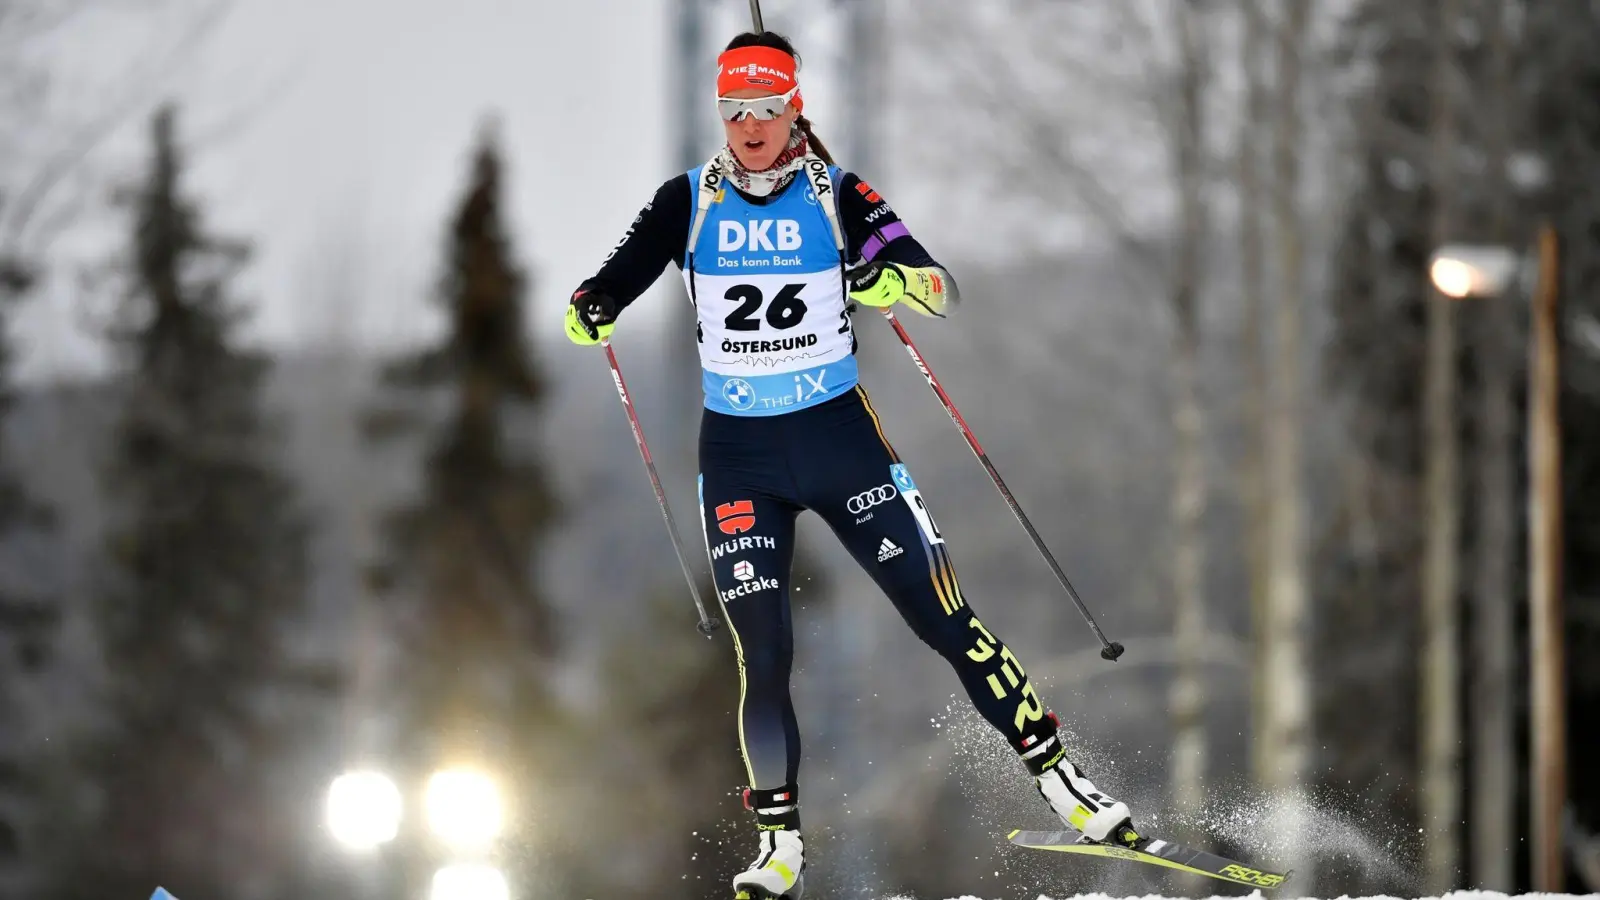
<point x="758" y="473"/>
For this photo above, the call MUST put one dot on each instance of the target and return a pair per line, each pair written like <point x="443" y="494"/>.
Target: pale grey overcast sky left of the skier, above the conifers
<point x="337" y="132"/>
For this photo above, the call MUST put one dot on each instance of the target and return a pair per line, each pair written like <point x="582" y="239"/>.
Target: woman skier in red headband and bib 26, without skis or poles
<point x="777" y="246"/>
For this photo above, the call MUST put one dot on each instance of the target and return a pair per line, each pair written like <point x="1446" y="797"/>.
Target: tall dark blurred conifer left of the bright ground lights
<point x="206" y="548"/>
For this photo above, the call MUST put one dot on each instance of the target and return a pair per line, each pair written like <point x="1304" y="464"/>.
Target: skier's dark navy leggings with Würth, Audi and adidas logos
<point x="758" y="473"/>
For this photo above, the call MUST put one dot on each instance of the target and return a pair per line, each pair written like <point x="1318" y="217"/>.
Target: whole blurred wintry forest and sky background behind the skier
<point x="329" y="568"/>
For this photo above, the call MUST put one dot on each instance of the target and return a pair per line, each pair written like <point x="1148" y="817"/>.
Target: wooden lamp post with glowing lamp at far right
<point x="1463" y="271"/>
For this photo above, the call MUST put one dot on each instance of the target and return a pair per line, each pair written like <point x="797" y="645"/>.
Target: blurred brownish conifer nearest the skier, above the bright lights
<point x="458" y="576"/>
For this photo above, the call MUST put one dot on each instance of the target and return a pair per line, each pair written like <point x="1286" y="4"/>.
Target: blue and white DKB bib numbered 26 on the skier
<point x="775" y="335"/>
